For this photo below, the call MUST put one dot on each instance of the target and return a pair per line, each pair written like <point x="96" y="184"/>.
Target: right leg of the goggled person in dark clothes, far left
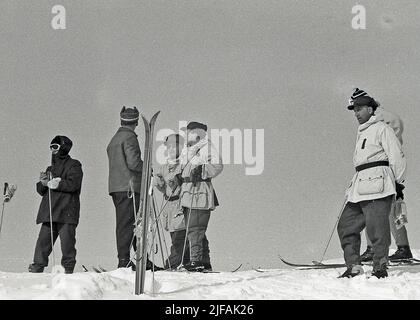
<point x="68" y="246"/>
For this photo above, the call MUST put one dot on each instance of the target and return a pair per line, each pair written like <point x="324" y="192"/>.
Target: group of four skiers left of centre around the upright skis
<point x="185" y="181"/>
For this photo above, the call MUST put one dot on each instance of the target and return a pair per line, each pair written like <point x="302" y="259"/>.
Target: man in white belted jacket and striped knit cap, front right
<point x="380" y="167"/>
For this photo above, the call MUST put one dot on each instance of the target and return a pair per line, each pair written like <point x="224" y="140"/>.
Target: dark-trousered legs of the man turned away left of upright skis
<point x="124" y="226"/>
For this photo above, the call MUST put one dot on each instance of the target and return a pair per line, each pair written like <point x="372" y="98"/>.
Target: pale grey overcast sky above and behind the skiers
<point x="287" y="67"/>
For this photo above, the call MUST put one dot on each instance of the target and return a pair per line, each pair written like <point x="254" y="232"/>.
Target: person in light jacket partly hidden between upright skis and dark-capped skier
<point x="168" y="183"/>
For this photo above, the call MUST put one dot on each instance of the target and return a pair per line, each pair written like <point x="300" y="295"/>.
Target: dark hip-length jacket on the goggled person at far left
<point x="65" y="200"/>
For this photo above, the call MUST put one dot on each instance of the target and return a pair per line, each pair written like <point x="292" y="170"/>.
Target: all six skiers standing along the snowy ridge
<point x="185" y="182"/>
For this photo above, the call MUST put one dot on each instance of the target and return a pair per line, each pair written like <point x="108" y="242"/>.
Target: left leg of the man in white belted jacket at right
<point x="351" y="223"/>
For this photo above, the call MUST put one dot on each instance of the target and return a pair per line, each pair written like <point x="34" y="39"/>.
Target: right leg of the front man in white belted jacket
<point x="377" y="224"/>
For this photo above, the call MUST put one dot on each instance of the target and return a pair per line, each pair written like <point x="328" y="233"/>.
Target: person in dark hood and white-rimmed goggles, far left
<point x="65" y="185"/>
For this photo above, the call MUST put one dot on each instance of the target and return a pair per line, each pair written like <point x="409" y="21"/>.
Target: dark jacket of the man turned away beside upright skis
<point x="125" y="161"/>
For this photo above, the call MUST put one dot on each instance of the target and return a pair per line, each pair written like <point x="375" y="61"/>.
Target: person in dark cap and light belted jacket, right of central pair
<point x="200" y="164"/>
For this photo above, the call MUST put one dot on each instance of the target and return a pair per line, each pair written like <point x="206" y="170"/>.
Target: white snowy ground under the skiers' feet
<point x="402" y="283"/>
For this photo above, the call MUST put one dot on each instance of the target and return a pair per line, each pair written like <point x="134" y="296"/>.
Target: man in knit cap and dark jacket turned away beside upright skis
<point x="125" y="170"/>
